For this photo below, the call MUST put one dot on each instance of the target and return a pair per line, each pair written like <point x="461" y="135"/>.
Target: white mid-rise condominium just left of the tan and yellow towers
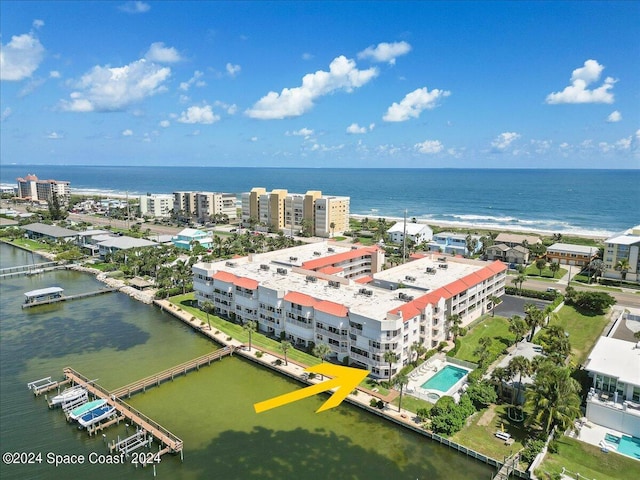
<point x="203" y="207"/>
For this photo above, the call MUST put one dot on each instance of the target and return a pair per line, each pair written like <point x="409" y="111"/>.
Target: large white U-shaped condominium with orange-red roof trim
<point x="322" y="293"/>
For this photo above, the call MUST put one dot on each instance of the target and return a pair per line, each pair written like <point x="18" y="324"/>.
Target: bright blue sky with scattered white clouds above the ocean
<point x="321" y="84"/>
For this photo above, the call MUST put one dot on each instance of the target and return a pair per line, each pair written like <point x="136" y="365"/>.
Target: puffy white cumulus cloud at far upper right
<point x="578" y="92"/>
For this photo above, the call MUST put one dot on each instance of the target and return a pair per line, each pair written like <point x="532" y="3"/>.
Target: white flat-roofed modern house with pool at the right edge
<point x="614" y="398"/>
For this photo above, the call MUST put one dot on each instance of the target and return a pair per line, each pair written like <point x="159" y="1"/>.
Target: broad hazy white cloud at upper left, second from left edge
<point x="115" y="88"/>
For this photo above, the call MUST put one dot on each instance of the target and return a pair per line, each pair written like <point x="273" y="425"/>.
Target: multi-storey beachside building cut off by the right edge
<point x="623" y="250"/>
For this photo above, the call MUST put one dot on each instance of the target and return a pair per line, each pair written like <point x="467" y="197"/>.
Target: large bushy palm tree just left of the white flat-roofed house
<point x="554" y="398"/>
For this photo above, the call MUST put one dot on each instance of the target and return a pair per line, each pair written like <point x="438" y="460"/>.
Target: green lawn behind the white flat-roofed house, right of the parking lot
<point x="583" y="330"/>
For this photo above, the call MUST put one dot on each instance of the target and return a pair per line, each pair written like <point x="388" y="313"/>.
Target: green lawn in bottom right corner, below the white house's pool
<point x="588" y="461"/>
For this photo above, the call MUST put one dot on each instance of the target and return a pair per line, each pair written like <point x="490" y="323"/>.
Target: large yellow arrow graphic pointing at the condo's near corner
<point x="345" y="380"/>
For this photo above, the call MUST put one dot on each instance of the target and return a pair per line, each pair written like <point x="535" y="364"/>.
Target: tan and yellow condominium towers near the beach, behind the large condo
<point x="280" y="210"/>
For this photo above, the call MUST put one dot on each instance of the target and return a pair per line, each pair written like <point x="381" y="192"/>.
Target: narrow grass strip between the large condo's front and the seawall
<point x="236" y="331"/>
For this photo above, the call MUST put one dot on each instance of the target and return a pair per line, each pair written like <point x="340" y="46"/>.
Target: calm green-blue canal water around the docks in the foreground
<point x="117" y="340"/>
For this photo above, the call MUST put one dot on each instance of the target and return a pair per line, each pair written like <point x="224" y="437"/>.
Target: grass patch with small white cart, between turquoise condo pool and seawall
<point x="479" y="433"/>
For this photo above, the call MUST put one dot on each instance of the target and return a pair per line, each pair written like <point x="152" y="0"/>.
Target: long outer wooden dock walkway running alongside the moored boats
<point x="171" y="443"/>
